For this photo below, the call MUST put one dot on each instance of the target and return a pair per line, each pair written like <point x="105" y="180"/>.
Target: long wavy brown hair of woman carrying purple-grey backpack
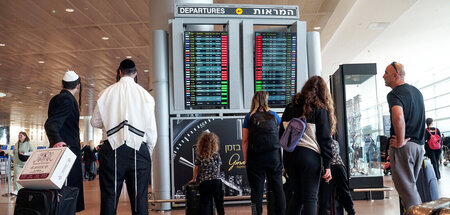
<point x="316" y="95"/>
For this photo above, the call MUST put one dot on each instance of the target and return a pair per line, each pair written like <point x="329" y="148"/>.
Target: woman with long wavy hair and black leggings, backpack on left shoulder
<point x="303" y="165"/>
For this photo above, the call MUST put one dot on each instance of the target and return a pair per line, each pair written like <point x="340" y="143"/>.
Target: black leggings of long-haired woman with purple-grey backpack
<point x="303" y="168"/>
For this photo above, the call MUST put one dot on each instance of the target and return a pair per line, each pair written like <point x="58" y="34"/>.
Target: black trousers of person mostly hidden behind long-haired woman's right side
<point x="339" y="183"/>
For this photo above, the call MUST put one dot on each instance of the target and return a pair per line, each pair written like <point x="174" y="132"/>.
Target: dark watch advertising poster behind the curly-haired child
<point x="185" y="133"/>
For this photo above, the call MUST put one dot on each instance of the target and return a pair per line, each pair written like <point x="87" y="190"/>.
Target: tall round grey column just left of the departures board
<point x="160" y="13"/>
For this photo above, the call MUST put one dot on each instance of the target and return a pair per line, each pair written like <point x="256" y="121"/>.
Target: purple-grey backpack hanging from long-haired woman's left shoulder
<point x="293" y="133"/>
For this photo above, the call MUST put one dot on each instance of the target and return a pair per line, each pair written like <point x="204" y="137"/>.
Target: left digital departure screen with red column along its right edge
<point x="206" y="70"/>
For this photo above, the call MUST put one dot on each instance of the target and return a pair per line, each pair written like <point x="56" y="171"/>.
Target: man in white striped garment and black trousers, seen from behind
<point x="126" y="113"/>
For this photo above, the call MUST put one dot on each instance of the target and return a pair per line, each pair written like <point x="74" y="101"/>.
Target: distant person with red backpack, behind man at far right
<point x="433" y="154"/>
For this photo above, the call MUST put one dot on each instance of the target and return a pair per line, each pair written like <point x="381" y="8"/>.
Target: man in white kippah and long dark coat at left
<point x="62" y="128"/>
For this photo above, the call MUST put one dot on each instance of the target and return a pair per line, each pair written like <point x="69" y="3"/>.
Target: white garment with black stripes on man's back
<point x="126" y="113"/>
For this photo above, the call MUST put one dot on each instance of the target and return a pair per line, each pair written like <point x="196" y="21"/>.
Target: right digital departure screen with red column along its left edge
<point x="276" y="66"/>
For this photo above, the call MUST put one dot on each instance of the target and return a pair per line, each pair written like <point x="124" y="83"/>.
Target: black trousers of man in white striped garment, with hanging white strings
<point x="125" y="171"/>
